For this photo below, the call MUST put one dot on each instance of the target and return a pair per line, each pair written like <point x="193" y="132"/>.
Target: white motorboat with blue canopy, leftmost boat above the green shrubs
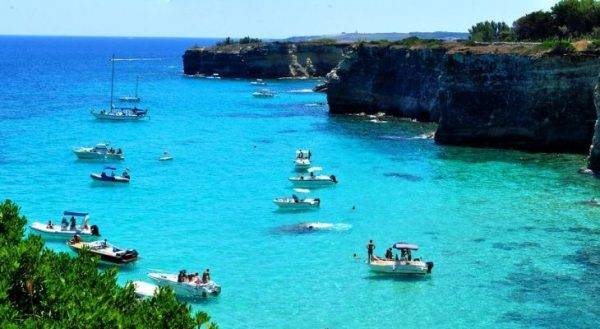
<point x="67" y="228"/>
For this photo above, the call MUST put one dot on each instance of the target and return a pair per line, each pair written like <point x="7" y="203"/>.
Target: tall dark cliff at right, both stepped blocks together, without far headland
<point x="506" y="95"/>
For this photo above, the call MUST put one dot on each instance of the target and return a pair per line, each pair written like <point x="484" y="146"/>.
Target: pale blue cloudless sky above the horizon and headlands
<point x="263" y="18"/>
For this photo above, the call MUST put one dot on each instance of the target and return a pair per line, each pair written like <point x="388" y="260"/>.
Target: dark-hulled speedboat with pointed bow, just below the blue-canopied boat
<point x="108" y="253"/>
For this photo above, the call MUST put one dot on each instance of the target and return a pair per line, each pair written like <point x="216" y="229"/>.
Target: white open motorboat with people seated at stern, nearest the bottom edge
<point x="183" y="287"/>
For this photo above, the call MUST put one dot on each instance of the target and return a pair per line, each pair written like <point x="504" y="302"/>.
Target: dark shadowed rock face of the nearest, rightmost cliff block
<point x="537" y="103"/>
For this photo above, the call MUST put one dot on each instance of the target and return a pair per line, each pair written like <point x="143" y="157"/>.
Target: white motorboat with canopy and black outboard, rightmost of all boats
<point x="401" y="265"/>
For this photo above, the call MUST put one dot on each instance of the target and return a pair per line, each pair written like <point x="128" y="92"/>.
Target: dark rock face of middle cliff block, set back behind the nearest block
<point x="395" y="80"/>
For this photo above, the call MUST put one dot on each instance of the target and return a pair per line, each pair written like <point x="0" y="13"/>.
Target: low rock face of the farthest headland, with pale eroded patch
<point x="264" y="60"/>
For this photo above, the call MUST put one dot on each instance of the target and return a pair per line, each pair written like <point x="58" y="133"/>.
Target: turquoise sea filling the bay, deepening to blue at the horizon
<point x="512" y="245"/>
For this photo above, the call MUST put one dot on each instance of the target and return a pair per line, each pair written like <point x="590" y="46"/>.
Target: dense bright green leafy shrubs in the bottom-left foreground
<point x="40" y="288"/>
